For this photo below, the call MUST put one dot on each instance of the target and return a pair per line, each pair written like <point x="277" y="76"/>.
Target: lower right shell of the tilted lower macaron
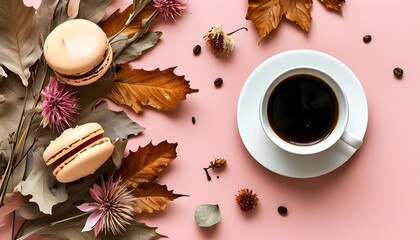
<point x="86" y="162"/>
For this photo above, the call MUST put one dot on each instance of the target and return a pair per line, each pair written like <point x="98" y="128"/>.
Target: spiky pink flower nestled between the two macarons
<point x="59" y="106"/>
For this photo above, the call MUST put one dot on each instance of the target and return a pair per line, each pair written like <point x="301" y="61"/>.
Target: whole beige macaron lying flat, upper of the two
<point x="78" y="51"/>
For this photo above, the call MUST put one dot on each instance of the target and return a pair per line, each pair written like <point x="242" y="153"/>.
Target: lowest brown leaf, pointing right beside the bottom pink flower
<point x="152" y="197"/>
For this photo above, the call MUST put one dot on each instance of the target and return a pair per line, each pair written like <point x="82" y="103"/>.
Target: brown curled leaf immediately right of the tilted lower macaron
<point x="146" y="163"/>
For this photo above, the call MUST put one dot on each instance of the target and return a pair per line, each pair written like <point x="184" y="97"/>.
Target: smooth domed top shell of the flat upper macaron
<point x="75" y="46"/>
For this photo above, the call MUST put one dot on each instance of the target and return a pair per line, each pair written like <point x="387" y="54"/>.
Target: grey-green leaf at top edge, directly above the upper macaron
<point x="93" y="10"/>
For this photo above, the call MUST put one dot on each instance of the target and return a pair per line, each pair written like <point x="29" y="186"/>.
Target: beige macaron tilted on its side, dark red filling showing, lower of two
<point x="78" y="152"/>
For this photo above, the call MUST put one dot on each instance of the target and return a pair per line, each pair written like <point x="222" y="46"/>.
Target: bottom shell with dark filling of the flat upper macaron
<point x="93" y="76"/>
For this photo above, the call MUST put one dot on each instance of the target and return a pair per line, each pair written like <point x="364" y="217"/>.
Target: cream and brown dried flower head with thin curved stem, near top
<point x="220" y="43"/>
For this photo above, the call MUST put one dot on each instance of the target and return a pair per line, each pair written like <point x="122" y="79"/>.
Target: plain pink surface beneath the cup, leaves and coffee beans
<point x="375" y="195"/>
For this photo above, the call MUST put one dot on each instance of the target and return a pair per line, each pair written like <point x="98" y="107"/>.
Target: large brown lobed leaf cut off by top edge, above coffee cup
<point x="267" y="14"/>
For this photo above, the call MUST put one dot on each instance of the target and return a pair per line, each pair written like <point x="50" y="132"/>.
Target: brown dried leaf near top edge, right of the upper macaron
<point x="114" y="23"/>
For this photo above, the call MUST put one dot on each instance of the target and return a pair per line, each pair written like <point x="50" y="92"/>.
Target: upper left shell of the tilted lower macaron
<point x="70" y="139"/>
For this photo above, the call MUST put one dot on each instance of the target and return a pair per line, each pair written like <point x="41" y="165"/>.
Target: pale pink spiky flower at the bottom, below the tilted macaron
<point x="113" y="209"/>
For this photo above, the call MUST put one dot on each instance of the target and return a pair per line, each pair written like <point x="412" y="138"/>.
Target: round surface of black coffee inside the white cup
<point x="302" y="110"/>
